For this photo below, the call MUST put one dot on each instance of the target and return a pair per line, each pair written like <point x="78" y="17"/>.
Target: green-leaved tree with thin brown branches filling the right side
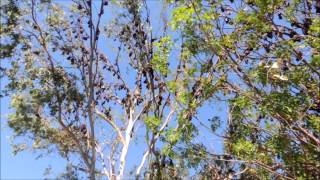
<point x="266" y="54"/>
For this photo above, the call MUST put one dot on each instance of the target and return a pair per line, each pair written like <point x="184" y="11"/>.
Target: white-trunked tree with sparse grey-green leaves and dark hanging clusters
<point x="73" y="94"/>
